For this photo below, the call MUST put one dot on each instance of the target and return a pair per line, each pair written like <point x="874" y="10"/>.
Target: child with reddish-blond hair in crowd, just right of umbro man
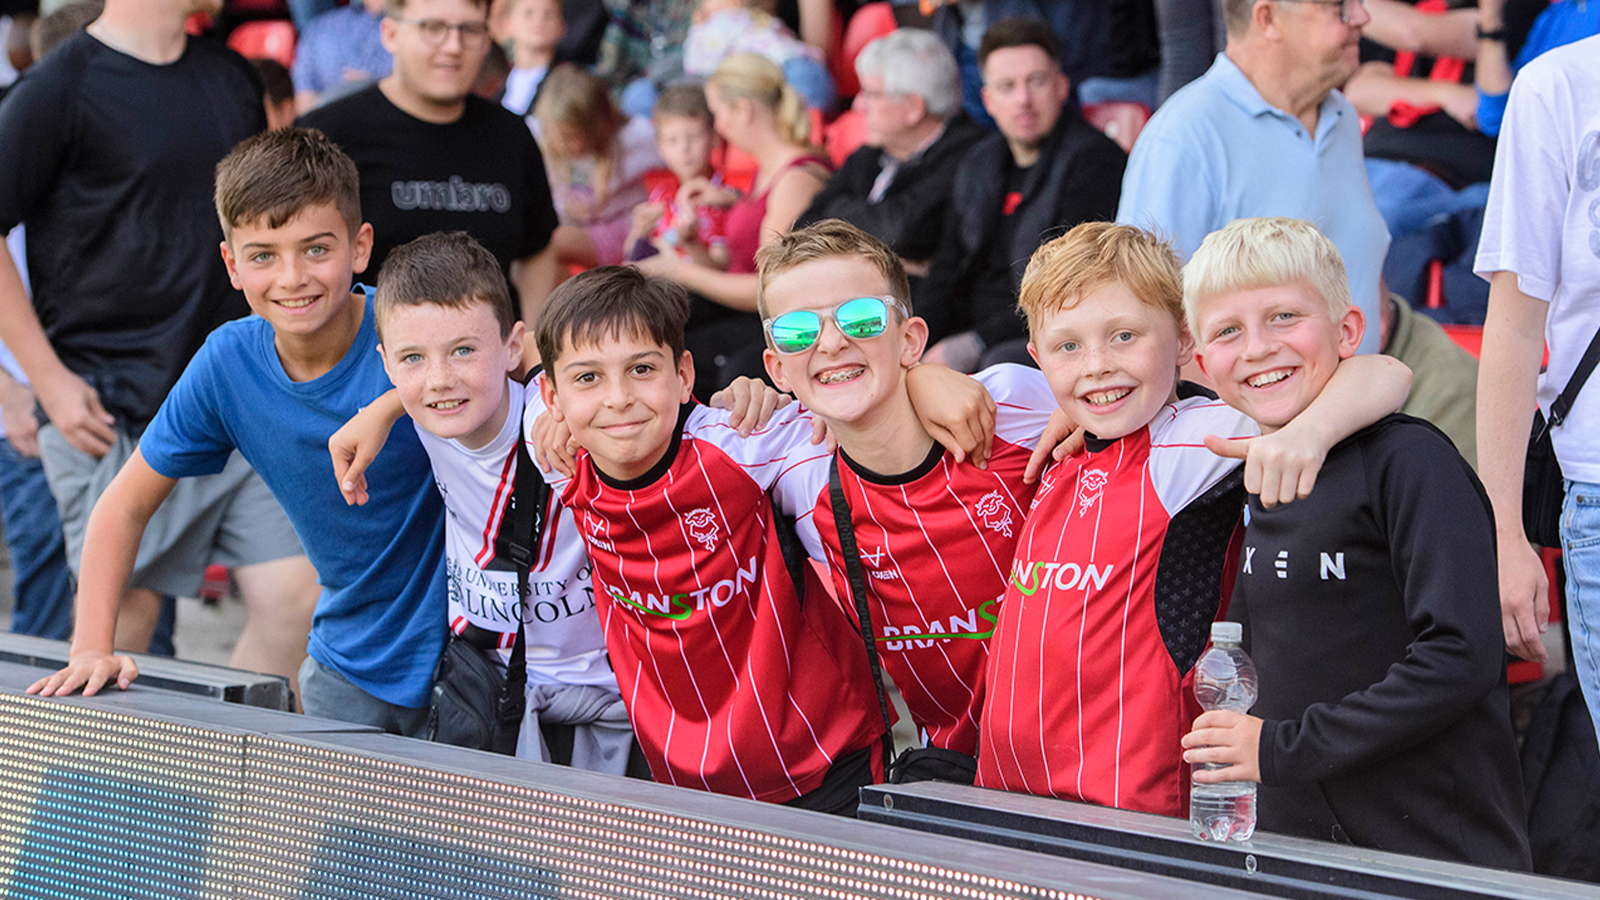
<point x="596" y="161"/>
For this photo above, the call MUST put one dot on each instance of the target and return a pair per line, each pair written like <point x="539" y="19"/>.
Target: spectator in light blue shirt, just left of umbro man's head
<point x="340" y="52"/>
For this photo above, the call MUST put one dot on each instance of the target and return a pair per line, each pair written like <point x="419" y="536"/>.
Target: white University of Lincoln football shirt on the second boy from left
<point x="564" y="633"/>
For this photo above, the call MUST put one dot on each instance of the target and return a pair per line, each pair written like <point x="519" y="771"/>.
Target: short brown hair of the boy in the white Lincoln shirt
<point x="446" y="268"/>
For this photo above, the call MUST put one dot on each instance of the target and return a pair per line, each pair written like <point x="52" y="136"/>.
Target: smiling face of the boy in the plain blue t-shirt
<point x="298" y="276"/>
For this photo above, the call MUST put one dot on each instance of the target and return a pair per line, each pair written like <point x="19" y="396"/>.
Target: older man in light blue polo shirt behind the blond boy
<point x="1265" y="134"/>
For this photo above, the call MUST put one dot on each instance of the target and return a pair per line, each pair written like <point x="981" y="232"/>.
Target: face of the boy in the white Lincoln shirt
<point x="450" y="368"/>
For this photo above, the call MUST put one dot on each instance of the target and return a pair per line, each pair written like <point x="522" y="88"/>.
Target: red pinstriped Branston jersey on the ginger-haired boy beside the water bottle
<point x="1118" y="576"/>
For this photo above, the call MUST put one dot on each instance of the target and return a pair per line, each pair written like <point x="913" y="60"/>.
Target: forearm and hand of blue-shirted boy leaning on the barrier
<point x="111" y="544"/>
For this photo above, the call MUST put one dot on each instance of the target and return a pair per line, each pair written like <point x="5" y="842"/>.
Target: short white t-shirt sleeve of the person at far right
<point x="1527" y="206"/>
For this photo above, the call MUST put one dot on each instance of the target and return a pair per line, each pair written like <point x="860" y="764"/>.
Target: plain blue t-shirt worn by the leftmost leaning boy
<point x="382" y="616"/>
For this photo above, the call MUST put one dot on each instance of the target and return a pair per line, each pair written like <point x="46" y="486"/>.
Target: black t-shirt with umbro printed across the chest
<point x="481" y="174"/>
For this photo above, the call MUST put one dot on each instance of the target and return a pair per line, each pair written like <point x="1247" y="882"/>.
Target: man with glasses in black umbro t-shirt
<point x="436" y="158"/>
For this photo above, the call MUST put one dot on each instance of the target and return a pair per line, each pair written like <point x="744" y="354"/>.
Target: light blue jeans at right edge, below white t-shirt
<point x="1582" y="555"/>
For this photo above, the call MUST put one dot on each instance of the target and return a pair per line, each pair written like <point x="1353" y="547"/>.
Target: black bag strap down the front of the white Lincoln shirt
<point x="530" y="500"/>
